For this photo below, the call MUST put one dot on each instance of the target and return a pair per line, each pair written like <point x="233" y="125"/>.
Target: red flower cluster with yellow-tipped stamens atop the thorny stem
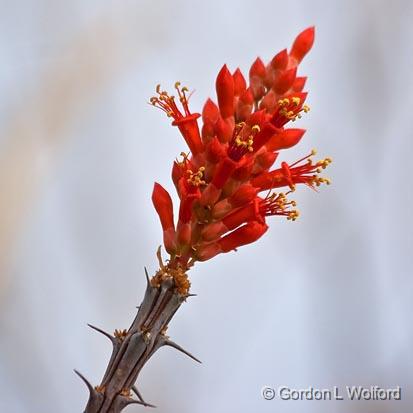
<point x="220" y="182"/>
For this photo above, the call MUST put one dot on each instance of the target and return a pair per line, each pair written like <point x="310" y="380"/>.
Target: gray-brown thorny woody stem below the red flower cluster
<point x="134" y="347"/>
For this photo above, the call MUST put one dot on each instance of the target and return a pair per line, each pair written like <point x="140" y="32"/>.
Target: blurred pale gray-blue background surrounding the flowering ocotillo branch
<point x="324" y="301"/>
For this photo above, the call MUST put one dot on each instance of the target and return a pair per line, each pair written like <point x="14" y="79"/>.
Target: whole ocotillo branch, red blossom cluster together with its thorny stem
<point x="227" y="188"/>
